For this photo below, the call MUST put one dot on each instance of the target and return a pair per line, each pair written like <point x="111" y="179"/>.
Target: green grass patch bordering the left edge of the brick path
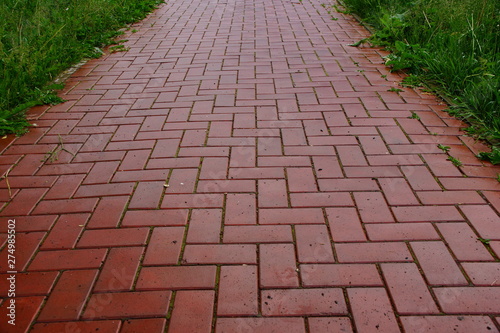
<point x="41" y="38"/>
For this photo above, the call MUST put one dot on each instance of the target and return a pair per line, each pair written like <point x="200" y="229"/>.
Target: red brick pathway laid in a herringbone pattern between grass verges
<point x="241" y="168"/>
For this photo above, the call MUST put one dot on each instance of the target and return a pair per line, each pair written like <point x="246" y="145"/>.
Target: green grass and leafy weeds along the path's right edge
<point x="452" y="45"/>
